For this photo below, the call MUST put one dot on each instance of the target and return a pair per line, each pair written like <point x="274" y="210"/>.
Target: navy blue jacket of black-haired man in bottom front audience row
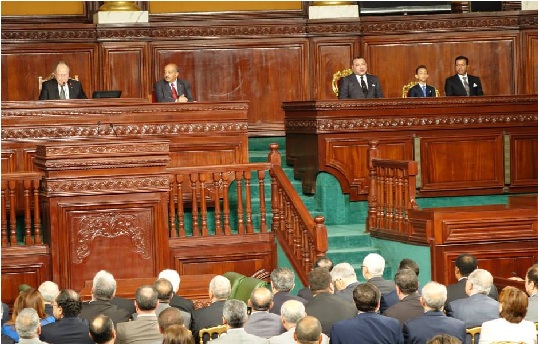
<point x="367" y="328"/>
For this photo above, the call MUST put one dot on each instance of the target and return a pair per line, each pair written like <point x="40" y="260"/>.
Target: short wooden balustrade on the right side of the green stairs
<point x="392" y="191"/>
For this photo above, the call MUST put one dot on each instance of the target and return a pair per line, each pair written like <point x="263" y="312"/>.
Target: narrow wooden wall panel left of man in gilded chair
<point x="329" y="55"/>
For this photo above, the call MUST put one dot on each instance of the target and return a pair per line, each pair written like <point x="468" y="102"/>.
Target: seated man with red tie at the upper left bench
<point x="172" y="88"/>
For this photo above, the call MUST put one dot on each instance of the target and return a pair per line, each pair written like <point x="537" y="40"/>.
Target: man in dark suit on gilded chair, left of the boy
<point x="359" y="85"/>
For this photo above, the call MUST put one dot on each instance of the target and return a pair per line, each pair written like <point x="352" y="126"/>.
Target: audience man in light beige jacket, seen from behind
<point x="145" y="328"/>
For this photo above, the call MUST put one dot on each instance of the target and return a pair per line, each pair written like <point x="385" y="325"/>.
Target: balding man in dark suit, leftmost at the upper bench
<point x="61" y="87"/>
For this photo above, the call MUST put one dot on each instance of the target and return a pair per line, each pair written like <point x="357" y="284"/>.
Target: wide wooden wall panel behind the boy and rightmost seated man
<point x="493" y="56"/>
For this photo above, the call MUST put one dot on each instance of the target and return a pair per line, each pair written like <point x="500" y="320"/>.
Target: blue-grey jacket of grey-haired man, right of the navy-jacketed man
<point x="421" y="329"/>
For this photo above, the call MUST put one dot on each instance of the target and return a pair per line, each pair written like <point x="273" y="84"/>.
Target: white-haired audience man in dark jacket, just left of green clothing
<point x="210" y="316"/>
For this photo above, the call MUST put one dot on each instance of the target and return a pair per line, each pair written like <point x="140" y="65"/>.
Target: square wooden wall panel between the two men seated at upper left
<point x="124" y="66"/>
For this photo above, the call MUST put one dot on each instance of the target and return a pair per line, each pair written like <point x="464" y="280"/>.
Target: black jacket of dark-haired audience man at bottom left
<point x="67" y="331"/>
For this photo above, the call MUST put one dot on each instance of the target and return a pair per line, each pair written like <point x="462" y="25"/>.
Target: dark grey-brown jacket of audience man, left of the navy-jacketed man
<point x="329" y="309"/>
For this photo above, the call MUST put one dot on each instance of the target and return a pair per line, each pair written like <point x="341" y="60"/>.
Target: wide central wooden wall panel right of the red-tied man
<point x="265" y="72"/>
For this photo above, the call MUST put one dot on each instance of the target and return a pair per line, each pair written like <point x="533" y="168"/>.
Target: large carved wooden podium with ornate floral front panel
<point x="105" y="207"/>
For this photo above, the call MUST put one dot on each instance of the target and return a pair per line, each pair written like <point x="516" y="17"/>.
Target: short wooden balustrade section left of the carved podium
<point x="27" y="200"/>
